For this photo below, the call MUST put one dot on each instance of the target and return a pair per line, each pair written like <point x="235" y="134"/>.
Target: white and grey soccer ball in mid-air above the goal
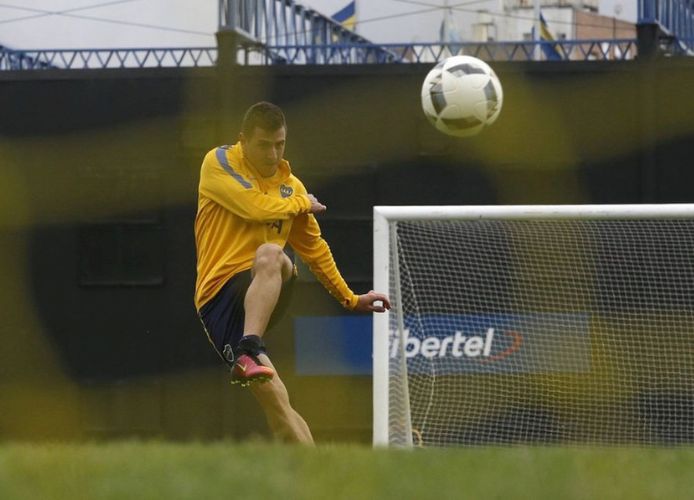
<point x="462" y="95"/>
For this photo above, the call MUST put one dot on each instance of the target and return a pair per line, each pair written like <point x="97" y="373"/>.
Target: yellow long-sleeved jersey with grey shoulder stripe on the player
<point x="239" y="210"/>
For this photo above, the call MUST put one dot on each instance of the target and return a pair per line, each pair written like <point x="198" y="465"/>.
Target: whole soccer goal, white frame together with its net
<point x="534" y="324"/>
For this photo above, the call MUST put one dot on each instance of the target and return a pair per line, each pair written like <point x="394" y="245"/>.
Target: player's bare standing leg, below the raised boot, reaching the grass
<point x="285" y="423"/>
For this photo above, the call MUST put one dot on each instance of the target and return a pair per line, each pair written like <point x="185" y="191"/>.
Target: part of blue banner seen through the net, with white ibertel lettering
<point x="495" y="343"/>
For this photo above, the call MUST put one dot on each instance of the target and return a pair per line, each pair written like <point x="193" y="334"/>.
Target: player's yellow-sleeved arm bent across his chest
<point x="238" y="195"/>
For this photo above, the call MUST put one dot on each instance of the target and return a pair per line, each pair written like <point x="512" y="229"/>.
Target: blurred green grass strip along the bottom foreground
<point x="133" y="470"/>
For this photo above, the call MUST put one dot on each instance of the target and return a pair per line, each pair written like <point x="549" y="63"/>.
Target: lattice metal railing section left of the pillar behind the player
<point x="107" y="58"/>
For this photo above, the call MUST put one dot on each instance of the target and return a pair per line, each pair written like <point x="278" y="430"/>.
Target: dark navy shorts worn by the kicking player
<point x="223" y="316"/>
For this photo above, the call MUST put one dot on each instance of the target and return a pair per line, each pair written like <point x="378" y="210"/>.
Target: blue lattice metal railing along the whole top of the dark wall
<point x="321" y="54"/>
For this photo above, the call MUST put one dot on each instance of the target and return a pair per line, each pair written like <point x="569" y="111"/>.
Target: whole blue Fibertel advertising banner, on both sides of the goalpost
<point x="448" y="344"/>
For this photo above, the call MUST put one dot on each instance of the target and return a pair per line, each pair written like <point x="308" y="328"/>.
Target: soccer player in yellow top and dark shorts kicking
<point x="250" y="206"/>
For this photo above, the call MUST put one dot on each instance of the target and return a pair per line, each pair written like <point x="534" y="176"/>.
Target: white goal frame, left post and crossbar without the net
<point x="384" y="215"/>
